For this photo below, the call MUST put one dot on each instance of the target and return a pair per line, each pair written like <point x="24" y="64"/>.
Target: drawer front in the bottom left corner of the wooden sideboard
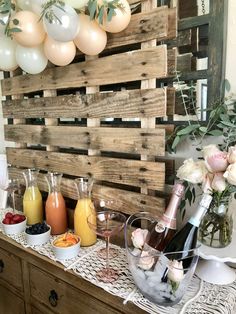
<point x="10" y="303"/>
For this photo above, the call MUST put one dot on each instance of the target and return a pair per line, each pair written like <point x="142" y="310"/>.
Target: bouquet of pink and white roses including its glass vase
<point x="216" y="175"/>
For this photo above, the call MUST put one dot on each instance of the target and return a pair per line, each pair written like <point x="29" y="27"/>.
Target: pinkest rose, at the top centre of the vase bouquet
<point x="217" y="162"/>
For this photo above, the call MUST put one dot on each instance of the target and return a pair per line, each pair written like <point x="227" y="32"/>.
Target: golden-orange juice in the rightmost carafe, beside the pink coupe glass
<point x="83" y="209"/>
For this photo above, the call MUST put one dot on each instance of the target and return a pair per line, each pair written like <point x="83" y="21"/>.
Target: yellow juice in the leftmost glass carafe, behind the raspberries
<point x="33" y="205"/>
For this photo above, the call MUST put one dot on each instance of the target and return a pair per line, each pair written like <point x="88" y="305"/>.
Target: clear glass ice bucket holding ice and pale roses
<point x="162" y="278"/>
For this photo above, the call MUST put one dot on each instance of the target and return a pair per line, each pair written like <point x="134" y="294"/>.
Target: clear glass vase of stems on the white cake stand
<point x="217" y="225"/>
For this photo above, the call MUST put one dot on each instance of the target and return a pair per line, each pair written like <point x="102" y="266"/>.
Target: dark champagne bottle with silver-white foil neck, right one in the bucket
<point x="186" y="238"/>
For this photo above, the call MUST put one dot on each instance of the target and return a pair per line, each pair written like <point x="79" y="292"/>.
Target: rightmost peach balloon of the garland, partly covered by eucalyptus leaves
<point x="119" y="21"/>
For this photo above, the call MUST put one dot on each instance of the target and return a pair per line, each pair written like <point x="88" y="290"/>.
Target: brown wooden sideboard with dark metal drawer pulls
<point x="32" y="283"/>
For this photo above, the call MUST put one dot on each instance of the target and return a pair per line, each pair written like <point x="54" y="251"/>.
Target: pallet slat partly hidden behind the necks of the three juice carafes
<point x="129" y="202"/>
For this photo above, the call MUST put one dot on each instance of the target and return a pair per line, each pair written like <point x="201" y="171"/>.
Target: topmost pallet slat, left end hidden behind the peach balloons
<point x="142" y="27"/>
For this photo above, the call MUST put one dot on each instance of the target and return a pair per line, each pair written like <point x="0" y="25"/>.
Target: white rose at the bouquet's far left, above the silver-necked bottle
<point x="191" y="171"/>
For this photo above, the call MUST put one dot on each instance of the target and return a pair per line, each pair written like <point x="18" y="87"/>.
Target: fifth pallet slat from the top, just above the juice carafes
<point x="143" y="174"/>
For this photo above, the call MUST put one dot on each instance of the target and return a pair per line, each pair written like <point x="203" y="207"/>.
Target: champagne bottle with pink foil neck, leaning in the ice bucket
<point x="163" y="231"/>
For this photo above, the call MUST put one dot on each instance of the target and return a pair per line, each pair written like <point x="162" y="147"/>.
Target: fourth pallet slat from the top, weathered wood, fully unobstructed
<point x="126" y="140"/>
